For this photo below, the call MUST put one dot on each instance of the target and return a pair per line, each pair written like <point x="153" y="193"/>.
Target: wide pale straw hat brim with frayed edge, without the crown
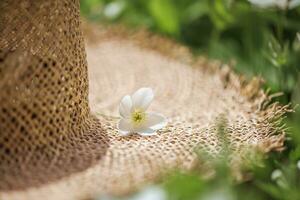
<point x="192" y="92"/>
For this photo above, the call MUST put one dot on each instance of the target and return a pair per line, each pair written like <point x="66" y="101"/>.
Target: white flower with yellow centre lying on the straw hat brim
<point x="135" y="119"/>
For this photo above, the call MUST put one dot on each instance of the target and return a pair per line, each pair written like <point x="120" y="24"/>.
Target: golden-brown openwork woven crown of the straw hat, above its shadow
<point x="43" y="73"/>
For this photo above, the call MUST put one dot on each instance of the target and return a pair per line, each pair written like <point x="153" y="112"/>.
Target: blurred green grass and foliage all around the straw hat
<point x="257" y="38"/>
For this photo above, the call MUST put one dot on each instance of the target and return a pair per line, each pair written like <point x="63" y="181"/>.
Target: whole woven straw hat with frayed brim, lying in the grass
<point x="58" y="118"/>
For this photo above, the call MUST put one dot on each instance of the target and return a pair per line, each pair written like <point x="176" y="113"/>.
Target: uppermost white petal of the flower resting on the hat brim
<point x="142" y="98"/>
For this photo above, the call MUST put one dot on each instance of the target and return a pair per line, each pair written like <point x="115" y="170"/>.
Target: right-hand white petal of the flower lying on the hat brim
<point x="155" y="121"/>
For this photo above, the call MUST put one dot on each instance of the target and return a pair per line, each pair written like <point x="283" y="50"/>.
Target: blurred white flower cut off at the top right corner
<point x="282" y="4"/>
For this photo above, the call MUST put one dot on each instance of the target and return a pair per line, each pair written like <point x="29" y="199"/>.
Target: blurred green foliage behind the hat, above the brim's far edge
<point x="260" y="41"/>
